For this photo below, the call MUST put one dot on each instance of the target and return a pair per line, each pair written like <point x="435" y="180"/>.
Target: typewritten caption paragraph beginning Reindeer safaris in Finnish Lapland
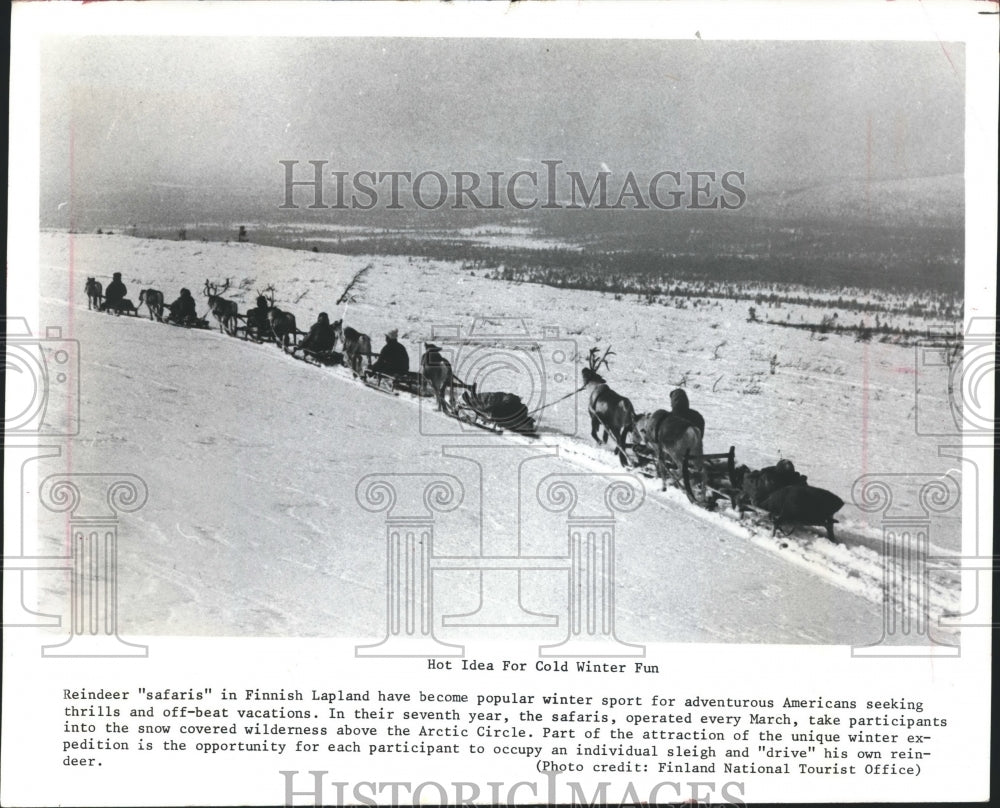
<point x="552" y="731"/>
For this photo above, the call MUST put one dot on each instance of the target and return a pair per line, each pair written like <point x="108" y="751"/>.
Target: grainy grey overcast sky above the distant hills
<point x="221" y="112"/>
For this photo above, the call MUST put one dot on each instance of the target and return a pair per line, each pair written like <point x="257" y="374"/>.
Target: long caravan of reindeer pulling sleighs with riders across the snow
<point x="664" y="442"/>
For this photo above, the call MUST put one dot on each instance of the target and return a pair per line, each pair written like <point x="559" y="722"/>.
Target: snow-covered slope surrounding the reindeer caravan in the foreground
<point x="252" y="458"/>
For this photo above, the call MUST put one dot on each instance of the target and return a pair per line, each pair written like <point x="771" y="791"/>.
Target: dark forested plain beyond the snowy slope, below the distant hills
<point x="643" y="260"/>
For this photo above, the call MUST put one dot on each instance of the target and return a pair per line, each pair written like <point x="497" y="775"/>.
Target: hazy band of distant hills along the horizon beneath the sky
<point x="916" y="202"/>
